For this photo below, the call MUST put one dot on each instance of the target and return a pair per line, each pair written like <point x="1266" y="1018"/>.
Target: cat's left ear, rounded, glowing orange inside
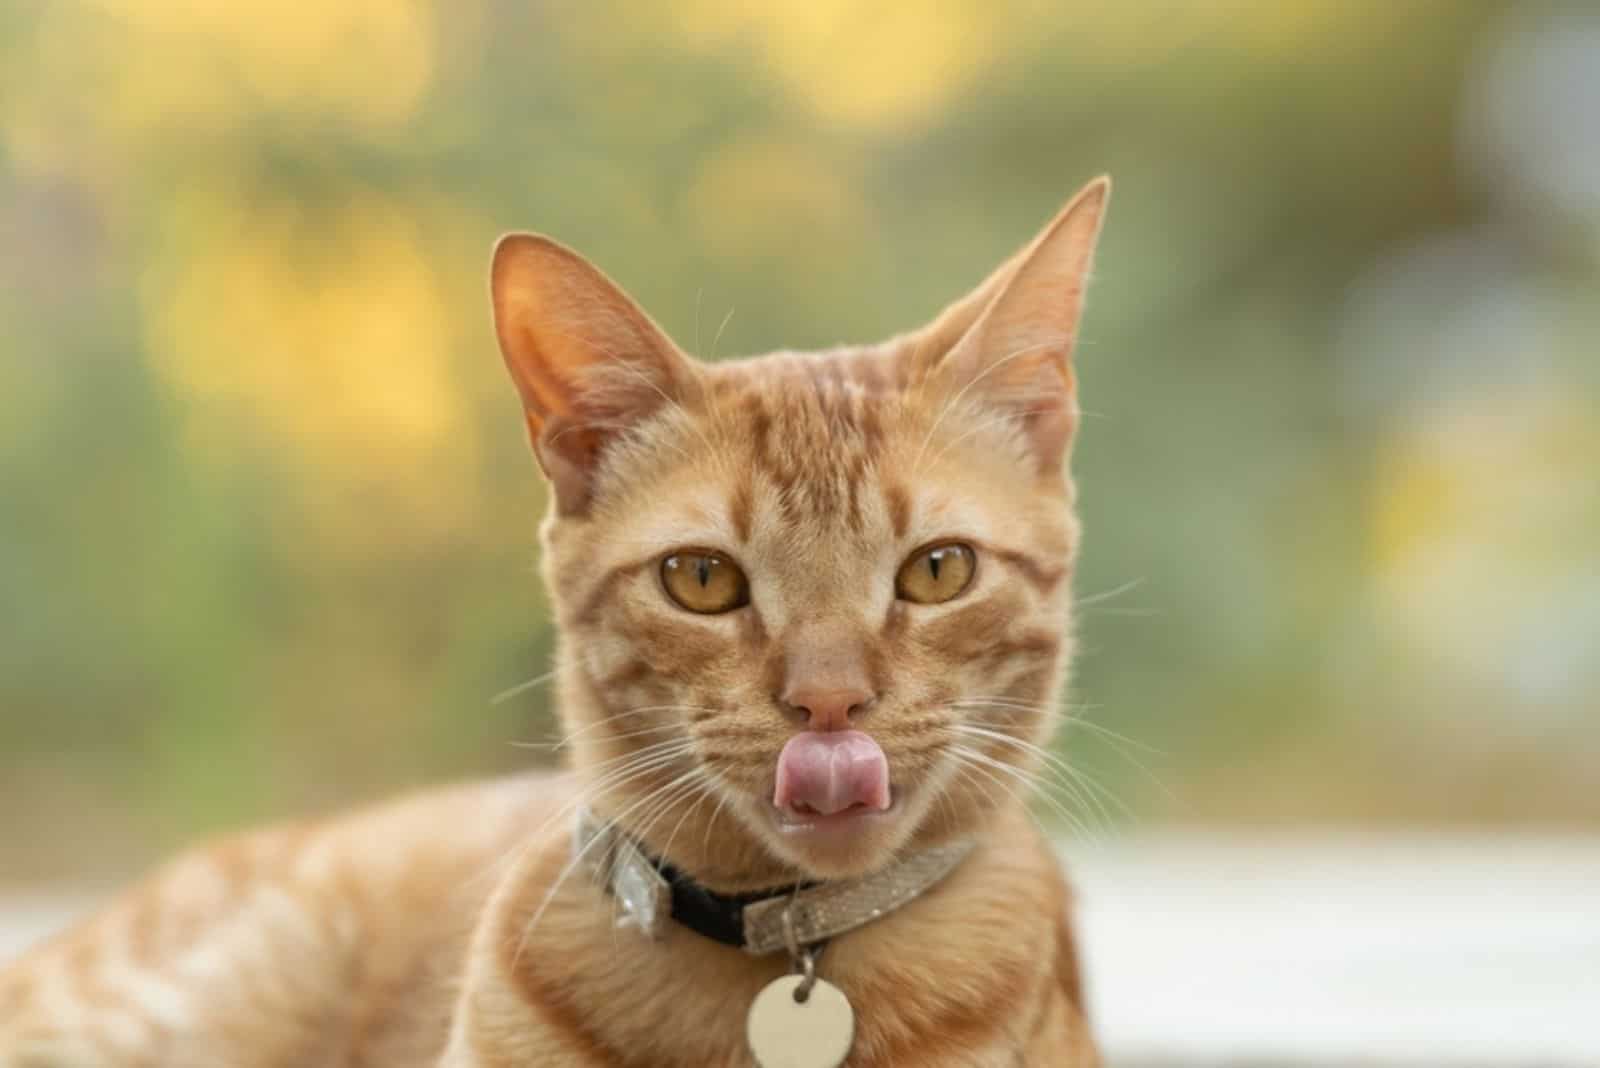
<point x="586" y="361"/>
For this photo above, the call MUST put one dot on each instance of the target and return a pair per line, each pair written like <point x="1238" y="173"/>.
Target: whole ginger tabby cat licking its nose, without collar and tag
<point x="814" y="613"/>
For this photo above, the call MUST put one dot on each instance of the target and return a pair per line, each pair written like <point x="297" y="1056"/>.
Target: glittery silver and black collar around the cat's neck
<point x="652" y="891"/>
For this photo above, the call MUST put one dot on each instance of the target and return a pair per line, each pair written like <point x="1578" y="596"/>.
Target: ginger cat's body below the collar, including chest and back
<point x="342" y="946"/>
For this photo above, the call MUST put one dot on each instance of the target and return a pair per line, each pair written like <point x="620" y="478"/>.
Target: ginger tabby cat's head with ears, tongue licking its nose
<point x="814" y="607"/>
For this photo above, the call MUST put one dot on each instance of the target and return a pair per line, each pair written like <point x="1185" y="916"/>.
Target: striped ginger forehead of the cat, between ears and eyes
<point x="810" y="453"/>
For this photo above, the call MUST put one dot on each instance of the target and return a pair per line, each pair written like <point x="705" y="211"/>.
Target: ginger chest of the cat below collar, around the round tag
<point x="956" y="971"/>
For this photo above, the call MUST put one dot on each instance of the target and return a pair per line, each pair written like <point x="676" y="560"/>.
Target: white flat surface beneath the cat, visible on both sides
<point x="1329" y="950"/>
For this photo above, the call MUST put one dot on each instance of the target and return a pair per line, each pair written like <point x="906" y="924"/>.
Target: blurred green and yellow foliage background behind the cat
<point x="266" y="512"/>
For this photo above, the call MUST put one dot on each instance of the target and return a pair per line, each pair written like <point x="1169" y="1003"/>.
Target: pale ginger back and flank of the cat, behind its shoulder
<point x="318" y="946"/>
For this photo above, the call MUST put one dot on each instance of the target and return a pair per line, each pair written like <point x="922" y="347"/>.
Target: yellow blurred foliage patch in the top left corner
<point x="110" y="74"/>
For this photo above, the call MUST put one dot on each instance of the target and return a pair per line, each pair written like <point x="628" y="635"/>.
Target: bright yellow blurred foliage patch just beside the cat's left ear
<point x="329" y="333"/>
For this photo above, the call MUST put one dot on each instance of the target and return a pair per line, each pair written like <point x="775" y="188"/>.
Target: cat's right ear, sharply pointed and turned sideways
<point x="1009" y="345"/>
